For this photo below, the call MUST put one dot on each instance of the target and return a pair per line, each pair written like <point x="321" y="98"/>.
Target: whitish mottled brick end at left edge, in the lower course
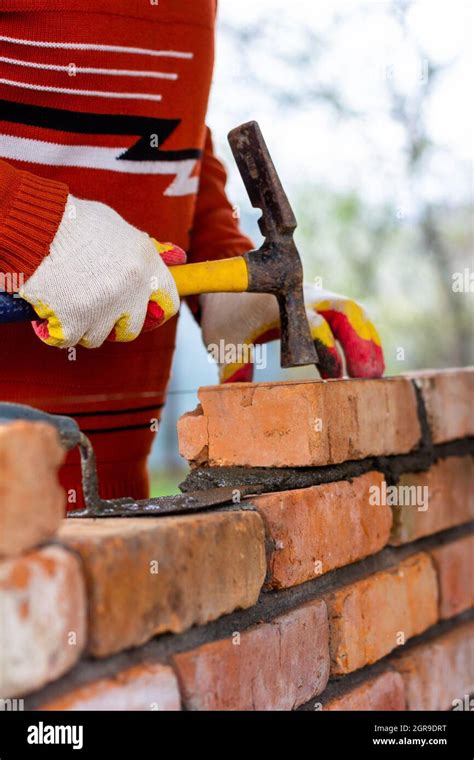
<point x="43" y="619"/>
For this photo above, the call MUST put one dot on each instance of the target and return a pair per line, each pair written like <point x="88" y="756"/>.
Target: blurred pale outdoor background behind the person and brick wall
<point x="367" y="111"/>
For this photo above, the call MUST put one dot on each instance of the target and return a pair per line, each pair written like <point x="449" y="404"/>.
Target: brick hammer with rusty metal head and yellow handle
<point x="273" y="268"/>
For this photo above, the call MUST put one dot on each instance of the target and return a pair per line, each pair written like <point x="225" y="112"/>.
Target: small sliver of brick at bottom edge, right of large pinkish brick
<point x="382" y="692"/>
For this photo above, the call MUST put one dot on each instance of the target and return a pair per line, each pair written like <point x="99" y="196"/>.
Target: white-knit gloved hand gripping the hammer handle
<point x="102" y="278"/>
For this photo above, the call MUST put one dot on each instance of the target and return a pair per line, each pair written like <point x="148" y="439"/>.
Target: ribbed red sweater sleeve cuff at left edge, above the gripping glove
<point x="31" y="209"/>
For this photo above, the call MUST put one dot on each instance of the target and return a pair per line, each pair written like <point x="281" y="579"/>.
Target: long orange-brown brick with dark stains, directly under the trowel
<point x="147" y="576"/>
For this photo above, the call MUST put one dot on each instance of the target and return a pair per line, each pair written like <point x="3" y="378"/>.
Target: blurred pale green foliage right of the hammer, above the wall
<point x="371" y="254"/>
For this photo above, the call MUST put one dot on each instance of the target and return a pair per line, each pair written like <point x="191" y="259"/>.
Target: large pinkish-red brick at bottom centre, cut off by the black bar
<point x="276" y="666"/>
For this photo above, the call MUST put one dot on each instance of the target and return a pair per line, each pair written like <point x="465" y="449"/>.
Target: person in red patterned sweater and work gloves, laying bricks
<point x="103" y="144"/>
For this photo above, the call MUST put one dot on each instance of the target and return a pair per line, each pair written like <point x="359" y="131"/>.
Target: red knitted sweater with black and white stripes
<point x="106" y="101"/>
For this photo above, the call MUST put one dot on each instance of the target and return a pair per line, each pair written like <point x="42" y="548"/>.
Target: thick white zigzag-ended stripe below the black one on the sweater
<point x="93" y="157"/>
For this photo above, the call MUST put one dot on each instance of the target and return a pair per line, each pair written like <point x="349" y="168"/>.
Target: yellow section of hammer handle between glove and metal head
<point x="222" y="276"/>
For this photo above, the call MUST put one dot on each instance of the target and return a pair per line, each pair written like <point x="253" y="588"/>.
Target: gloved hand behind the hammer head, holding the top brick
<point x="240" y="319"/>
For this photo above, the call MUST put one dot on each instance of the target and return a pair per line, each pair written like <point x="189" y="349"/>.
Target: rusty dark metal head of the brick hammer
<point x="276" y="266"/>
